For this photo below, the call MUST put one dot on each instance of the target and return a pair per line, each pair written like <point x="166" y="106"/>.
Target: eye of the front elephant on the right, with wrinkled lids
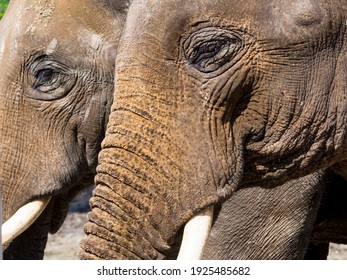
<point x="209" y="49"/>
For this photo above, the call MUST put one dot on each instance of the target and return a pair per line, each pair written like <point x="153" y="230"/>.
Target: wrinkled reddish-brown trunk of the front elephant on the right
<point x="155" y="171"/>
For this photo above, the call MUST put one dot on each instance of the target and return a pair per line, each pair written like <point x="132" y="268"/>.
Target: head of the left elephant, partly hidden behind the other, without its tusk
<point x="56" y="79"/>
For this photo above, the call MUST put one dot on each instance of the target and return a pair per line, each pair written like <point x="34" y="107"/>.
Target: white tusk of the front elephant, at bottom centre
<point x="195" y="235"/>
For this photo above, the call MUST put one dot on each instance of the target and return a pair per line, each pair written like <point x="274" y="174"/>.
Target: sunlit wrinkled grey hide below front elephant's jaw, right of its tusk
<point x="275" y="224"/>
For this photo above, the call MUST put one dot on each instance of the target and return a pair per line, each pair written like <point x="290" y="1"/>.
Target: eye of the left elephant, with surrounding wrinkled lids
<point x="52" y="80"/>
